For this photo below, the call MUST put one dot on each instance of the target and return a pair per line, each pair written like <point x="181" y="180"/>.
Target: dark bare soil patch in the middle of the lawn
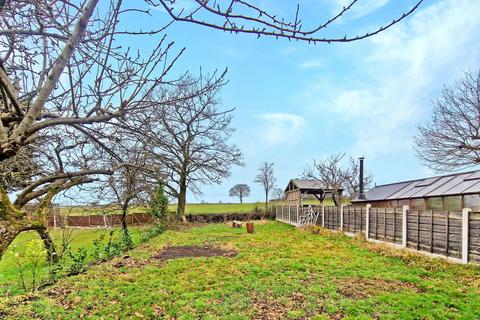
<point x="175" y="252"/>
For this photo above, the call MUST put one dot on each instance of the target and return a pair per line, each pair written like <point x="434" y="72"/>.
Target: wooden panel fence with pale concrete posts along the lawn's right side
<point x="447" y="233"/>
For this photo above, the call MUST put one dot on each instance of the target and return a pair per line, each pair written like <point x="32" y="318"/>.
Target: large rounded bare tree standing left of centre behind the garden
<point x="188" y="133"/>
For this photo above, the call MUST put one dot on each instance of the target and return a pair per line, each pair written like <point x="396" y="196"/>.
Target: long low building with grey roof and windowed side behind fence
<point x="448" y="192"/>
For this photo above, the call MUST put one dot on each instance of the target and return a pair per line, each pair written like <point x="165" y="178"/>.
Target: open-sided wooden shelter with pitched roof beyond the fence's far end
<point x="298" y="189"/>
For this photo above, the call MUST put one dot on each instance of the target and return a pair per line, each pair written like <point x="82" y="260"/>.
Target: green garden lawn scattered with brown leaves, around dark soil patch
<point x="279" y="273"/>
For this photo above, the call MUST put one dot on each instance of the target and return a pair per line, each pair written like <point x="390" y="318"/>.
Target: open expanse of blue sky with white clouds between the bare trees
<point x="295" y="101"/>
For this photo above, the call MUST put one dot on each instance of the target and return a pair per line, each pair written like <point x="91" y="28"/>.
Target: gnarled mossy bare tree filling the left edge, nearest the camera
<point x="66" y="81"/>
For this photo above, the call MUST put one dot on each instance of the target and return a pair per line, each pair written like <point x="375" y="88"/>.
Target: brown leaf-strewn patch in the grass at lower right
<point x="361" y="288"/>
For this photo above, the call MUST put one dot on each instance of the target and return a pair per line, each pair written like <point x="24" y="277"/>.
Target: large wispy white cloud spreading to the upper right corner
<point x="401" y="71"/>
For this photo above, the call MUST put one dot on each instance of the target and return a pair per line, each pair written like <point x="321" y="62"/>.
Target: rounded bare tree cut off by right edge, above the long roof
<point x="451" y="140"/>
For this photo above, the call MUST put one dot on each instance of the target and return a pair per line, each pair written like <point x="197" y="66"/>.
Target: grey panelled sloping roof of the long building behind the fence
<point x="452" y="184"/>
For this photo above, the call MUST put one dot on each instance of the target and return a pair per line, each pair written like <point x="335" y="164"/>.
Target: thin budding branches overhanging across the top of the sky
<point x="243" y="16"/>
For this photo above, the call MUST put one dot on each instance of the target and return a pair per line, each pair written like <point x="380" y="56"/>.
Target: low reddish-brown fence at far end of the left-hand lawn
<point x="97" y="221"/>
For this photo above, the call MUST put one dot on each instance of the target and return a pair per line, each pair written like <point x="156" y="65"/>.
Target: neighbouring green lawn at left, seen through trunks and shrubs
<point x="9" y="280"/>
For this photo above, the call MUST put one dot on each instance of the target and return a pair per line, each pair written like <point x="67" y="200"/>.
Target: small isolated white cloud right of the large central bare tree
<point x="281" y="128"/>
